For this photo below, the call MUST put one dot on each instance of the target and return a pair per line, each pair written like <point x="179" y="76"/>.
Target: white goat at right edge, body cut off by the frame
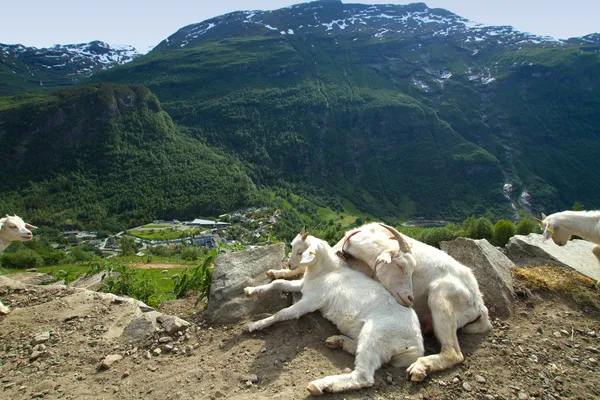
<point x="562" y="225"/>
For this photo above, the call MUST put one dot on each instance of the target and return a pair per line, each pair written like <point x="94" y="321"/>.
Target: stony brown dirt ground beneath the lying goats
<point x="549" y="349"/>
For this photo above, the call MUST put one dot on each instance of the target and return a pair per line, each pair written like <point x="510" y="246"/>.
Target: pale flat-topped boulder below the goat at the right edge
<point x="532" y="250"/>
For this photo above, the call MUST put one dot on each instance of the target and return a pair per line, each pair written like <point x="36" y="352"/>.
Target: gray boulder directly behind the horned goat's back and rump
<point x="491" y="269"/>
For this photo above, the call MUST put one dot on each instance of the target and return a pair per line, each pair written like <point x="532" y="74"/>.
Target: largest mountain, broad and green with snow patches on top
<point x="402" y="110"/>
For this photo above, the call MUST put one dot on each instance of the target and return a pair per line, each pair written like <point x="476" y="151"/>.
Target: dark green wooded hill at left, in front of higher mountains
<point x="108" y="156"/>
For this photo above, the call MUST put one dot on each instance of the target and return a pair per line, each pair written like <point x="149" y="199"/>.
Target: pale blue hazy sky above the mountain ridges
<point x="144" y="24"/>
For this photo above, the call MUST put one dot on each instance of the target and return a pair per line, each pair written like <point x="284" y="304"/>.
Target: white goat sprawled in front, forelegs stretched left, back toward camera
<point x="374" y="326"/>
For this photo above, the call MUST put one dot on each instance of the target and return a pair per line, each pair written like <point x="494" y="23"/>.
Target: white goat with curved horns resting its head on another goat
<point x="443" y="292"/>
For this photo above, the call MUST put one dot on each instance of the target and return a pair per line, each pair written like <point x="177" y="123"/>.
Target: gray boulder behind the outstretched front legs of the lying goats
<point x="234" y="271"/>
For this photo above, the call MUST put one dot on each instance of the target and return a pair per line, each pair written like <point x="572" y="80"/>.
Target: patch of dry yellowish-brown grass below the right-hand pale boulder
<point x="580" y="288"/>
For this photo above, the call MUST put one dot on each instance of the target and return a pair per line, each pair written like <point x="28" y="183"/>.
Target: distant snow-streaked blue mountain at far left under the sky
<point x="28" y="68"/>
